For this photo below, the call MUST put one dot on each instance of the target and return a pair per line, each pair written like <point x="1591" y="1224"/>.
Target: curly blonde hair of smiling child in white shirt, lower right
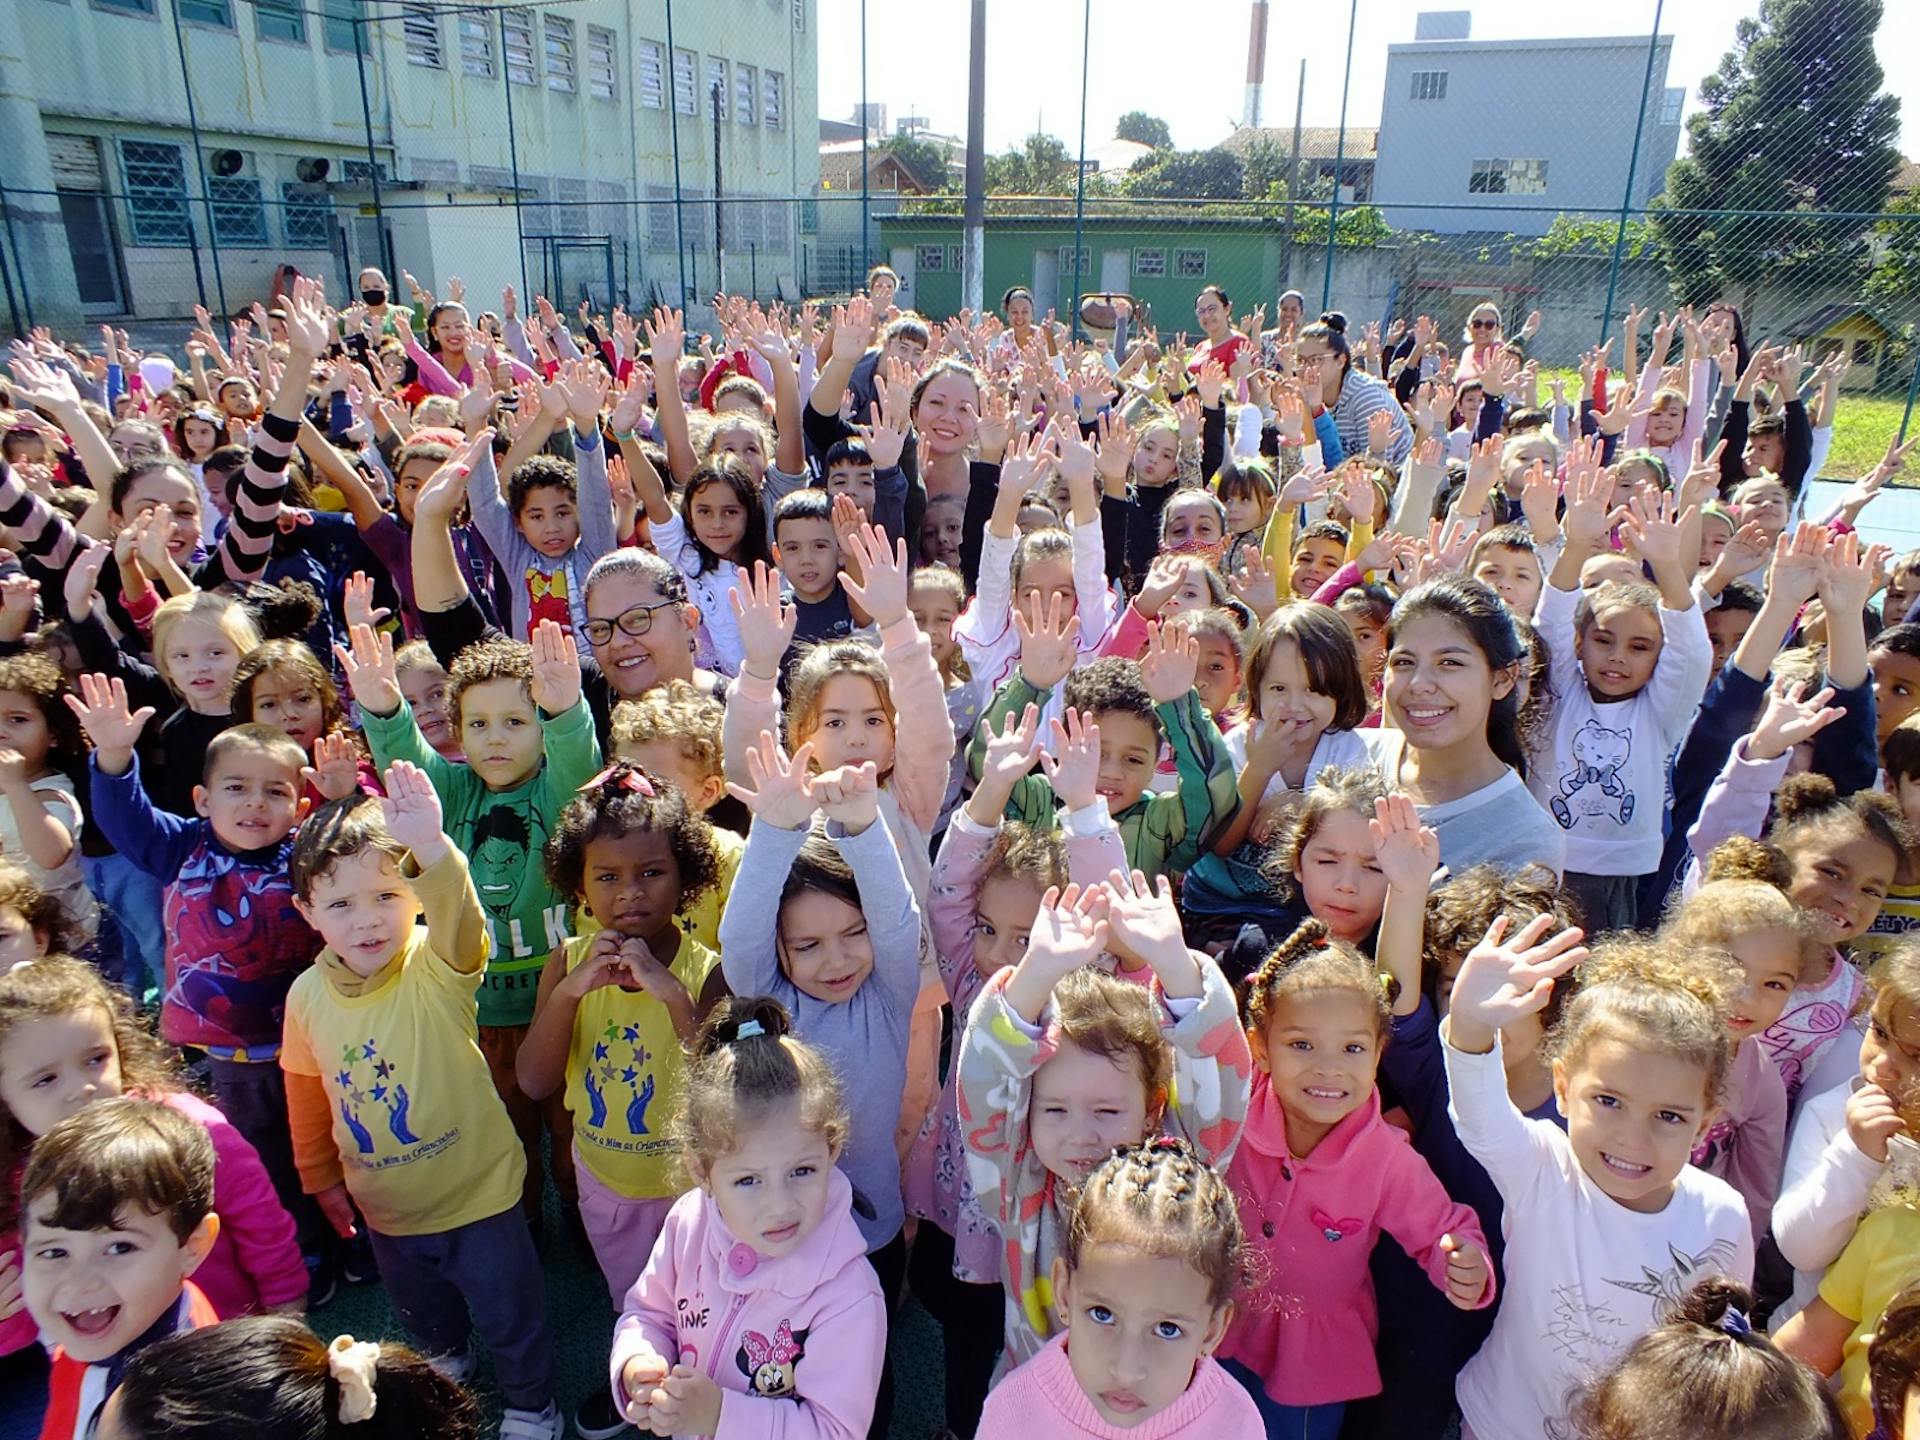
<point x="1658" y="999"/>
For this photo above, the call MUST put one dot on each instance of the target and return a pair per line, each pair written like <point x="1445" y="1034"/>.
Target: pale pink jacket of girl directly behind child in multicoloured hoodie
<point x="936" y="1170"/>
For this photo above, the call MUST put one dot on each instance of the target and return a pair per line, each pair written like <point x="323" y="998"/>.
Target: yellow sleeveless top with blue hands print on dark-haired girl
<point x="625" y="1076"/>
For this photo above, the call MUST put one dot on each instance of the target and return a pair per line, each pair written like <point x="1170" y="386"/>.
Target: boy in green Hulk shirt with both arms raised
<point x="529" y="742"/>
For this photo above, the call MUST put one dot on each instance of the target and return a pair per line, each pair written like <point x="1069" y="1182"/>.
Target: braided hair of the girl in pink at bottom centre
<point x="1163" y="1199"/>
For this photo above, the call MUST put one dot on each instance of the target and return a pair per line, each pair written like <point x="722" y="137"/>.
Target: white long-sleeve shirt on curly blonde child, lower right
<point x="1585" y="1274"/>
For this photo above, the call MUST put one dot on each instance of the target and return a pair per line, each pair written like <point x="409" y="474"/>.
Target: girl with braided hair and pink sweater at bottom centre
<point x="1145" y="1289"/>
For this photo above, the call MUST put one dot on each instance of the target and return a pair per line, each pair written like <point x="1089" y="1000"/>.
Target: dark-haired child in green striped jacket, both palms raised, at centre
<point x="1136" y="704"/>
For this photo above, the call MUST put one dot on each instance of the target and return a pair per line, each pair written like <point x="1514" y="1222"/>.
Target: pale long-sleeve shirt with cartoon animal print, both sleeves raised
<point x="1604" y="779"/>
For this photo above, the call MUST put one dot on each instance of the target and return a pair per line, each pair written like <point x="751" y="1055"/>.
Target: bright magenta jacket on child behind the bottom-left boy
<point x="254" y="1264"/>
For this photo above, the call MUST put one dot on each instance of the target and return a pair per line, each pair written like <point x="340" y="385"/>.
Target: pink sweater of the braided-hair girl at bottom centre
<point x="1044" y="1399"/>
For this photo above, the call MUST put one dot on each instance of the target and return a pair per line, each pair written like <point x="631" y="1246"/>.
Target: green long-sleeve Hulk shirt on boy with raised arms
<point x="504" y="836"/>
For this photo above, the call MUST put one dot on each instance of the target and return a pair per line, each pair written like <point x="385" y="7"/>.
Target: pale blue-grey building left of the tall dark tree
<point x="1568" y="103"/>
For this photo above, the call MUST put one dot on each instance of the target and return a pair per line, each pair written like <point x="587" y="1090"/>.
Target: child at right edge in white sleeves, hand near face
<point x="1842" y="1138"/>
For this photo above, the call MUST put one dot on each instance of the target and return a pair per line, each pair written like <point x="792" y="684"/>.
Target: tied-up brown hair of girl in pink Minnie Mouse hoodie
<point x="744" y="1065"/>
